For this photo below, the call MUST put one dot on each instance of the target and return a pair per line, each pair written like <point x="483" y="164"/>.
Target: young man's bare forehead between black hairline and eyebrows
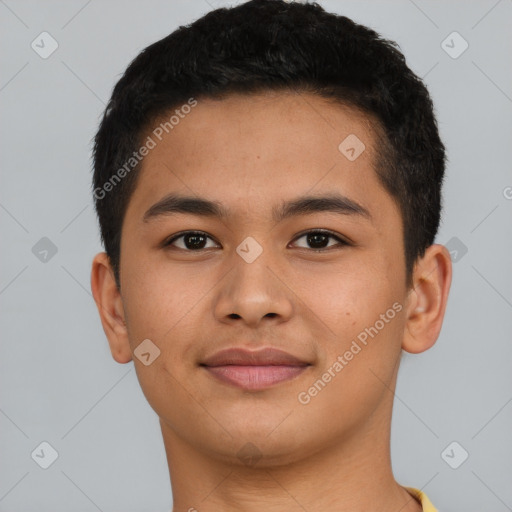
<point x="256" y="149"/>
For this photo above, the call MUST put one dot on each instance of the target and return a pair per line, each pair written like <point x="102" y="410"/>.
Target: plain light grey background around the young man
<point x="58" y="382"/>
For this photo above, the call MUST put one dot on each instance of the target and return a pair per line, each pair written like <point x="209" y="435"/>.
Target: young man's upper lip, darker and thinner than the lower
<point x="245" y="357"/>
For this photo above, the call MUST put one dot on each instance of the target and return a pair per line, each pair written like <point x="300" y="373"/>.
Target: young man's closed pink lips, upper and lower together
<point x="254" y="370"/>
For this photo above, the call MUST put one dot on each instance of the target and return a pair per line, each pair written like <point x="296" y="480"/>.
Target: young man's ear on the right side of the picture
<point x="426" y="302"/>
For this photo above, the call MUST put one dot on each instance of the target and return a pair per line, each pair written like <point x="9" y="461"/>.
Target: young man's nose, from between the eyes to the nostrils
<point x="251" y="291"/>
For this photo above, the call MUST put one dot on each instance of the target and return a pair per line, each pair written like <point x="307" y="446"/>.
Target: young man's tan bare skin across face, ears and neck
<point x="252" y="153"/>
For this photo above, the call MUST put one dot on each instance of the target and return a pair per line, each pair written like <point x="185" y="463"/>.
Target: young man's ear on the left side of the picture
<point x="110" y="307"/>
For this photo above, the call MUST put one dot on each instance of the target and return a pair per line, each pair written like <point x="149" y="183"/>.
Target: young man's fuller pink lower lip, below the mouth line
<point x="254" y="378"/>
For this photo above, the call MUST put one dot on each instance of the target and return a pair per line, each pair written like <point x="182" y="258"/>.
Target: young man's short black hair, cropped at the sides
<point x="264" y="45"/>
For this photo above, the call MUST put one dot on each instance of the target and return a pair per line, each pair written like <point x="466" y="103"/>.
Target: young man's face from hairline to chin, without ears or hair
<point x="323" y="281"/>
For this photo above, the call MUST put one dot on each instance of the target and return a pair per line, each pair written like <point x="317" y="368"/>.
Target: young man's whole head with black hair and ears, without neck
<point x="281" y="118"/>
